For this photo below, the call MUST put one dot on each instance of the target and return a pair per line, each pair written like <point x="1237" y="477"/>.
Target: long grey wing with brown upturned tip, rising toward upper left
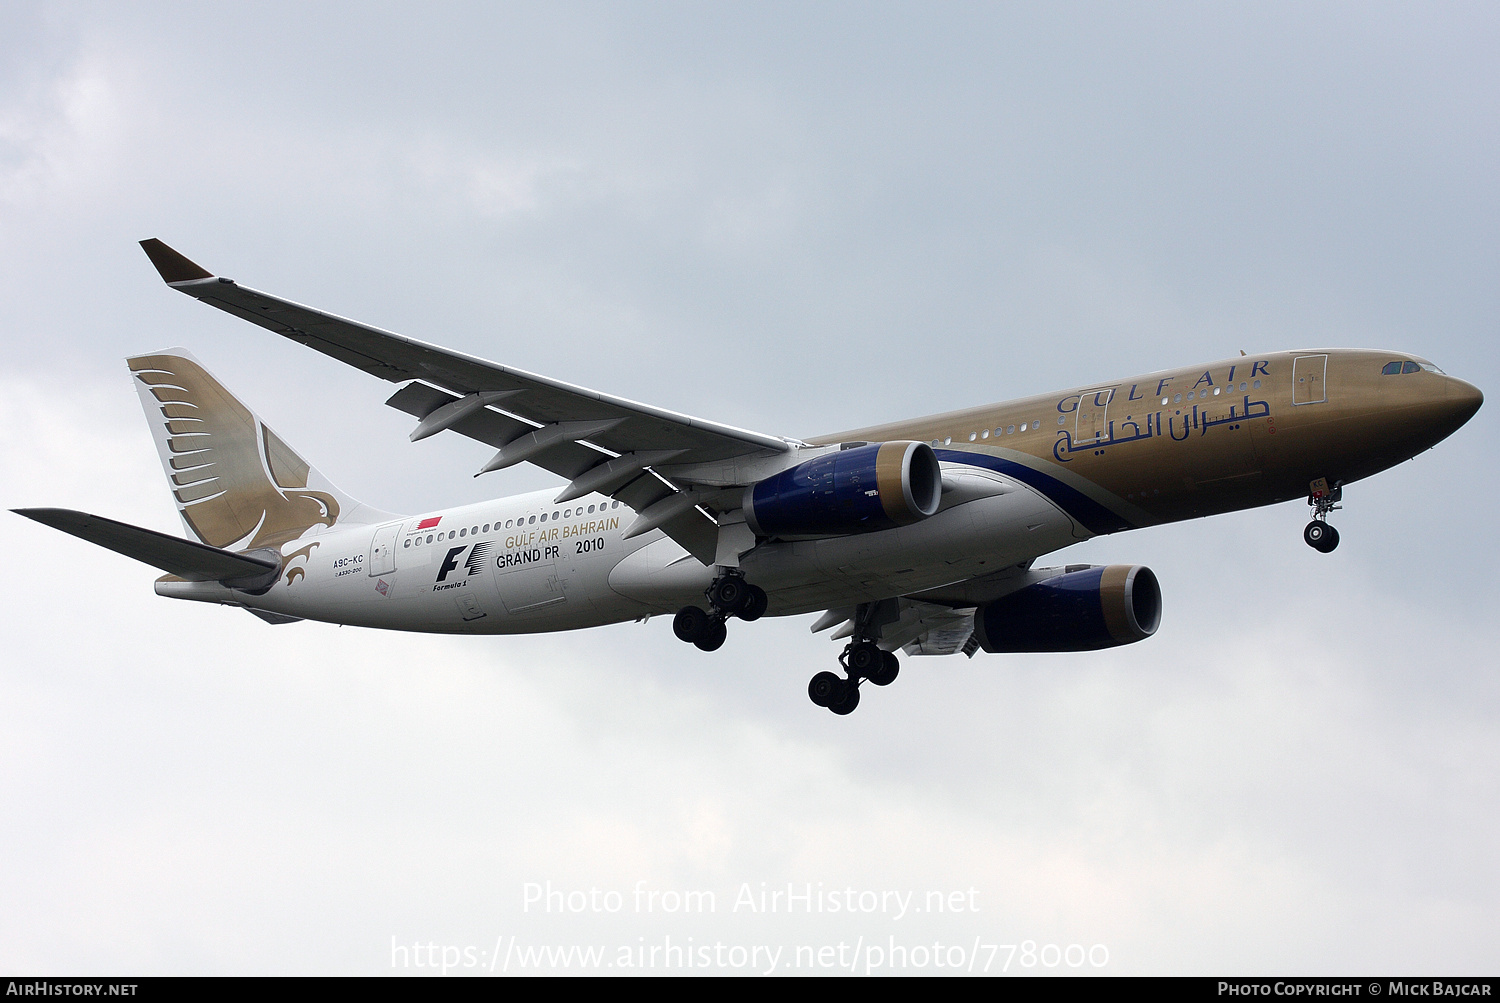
<point x="599" y="443"/>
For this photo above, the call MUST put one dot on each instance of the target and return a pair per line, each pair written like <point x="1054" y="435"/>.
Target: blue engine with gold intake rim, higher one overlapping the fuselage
<point x="859" y="490"/>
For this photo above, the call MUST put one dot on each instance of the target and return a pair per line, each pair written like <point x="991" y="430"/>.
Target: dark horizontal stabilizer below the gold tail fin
<point x="184" y="558"/>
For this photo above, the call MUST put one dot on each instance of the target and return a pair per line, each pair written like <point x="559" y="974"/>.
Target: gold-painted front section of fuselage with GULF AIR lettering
<point x="1205" y="440"/>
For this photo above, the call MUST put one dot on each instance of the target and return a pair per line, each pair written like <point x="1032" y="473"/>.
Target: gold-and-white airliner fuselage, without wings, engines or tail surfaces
<point x="1021" y="479"/>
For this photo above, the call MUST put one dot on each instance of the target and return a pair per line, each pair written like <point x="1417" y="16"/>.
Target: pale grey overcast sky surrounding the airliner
<point x="797" y="220"/>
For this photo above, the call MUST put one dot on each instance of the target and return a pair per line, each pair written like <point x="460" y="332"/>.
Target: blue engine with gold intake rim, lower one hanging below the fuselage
<point x="1084" y="611"/>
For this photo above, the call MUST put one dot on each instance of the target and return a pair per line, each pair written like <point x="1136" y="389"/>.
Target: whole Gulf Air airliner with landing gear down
<point x="919" y="536"/>
